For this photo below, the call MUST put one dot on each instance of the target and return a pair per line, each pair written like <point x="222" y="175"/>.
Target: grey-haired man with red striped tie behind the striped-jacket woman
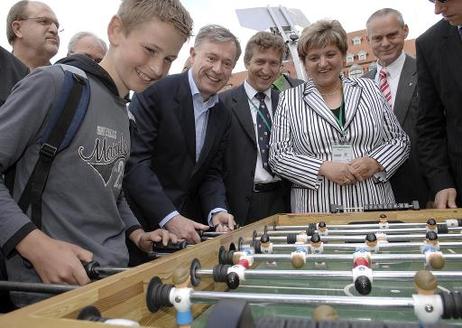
<point x="386" y="32"/>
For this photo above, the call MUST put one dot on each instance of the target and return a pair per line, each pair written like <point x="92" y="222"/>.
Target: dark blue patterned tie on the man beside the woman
<point x="263" y="130"/>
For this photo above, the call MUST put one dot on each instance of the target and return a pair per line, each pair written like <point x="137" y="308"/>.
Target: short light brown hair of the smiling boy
<point x="136" y="12"/>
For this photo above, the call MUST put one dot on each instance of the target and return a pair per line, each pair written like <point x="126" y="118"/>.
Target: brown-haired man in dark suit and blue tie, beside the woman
<point x="253" y="192"/>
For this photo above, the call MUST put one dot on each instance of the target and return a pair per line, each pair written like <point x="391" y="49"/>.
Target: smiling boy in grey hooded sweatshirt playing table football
<point x="84" y="214"/>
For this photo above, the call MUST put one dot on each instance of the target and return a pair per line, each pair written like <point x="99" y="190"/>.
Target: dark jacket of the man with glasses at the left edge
<point x="11" y="71"/>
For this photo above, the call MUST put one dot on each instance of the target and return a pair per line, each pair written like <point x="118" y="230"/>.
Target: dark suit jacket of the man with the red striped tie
<point x="408" y="183"/>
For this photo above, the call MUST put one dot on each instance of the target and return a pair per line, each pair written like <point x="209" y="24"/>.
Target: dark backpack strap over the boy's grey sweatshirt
<point x="63" y="124"/>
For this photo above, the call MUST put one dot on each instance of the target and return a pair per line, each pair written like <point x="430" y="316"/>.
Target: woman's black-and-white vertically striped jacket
<point x="304" y="131"/>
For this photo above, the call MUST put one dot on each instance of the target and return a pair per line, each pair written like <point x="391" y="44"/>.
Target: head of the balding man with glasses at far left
<point x="32" y="31"/>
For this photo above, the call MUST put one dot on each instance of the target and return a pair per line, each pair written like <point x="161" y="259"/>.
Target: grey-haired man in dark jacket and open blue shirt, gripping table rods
<point x="174" y="175"/>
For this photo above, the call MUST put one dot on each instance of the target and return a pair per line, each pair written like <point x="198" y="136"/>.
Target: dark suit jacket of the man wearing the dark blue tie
<point x="242" y="151"/>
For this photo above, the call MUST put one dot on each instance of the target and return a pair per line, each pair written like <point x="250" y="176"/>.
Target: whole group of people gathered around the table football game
<point x="181" y="156"/>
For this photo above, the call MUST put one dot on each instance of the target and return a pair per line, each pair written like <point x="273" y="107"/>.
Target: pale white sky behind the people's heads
<point x="94" y="15"/>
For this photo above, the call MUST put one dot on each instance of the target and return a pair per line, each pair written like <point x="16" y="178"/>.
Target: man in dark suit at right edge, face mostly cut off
<point x="439" y="71"/>
